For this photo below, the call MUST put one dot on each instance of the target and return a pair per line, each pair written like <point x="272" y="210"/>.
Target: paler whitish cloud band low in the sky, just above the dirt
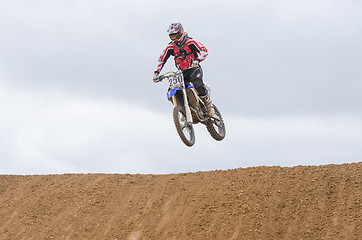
<point x="57" y="133"/>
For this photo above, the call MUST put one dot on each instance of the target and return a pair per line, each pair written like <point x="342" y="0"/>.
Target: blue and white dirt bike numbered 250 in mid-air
<point x="189" y="109"/>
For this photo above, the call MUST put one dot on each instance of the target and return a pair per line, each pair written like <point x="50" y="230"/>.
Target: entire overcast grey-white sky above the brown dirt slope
<point x="77" y="96"/>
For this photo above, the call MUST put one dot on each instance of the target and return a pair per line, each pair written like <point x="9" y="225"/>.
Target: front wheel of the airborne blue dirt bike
<point x="184" y="129"/>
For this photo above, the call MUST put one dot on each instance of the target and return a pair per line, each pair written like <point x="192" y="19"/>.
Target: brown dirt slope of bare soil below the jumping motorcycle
<point x="314" y="202"/>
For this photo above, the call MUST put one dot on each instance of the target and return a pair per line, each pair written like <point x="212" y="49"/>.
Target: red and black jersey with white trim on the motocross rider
<point x="184" y="56"/>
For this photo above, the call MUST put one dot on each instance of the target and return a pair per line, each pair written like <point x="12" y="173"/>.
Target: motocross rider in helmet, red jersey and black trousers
<point x="187" y="53"/>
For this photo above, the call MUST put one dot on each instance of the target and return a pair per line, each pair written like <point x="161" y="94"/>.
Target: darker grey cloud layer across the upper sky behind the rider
<point x="299" y="57"/>
